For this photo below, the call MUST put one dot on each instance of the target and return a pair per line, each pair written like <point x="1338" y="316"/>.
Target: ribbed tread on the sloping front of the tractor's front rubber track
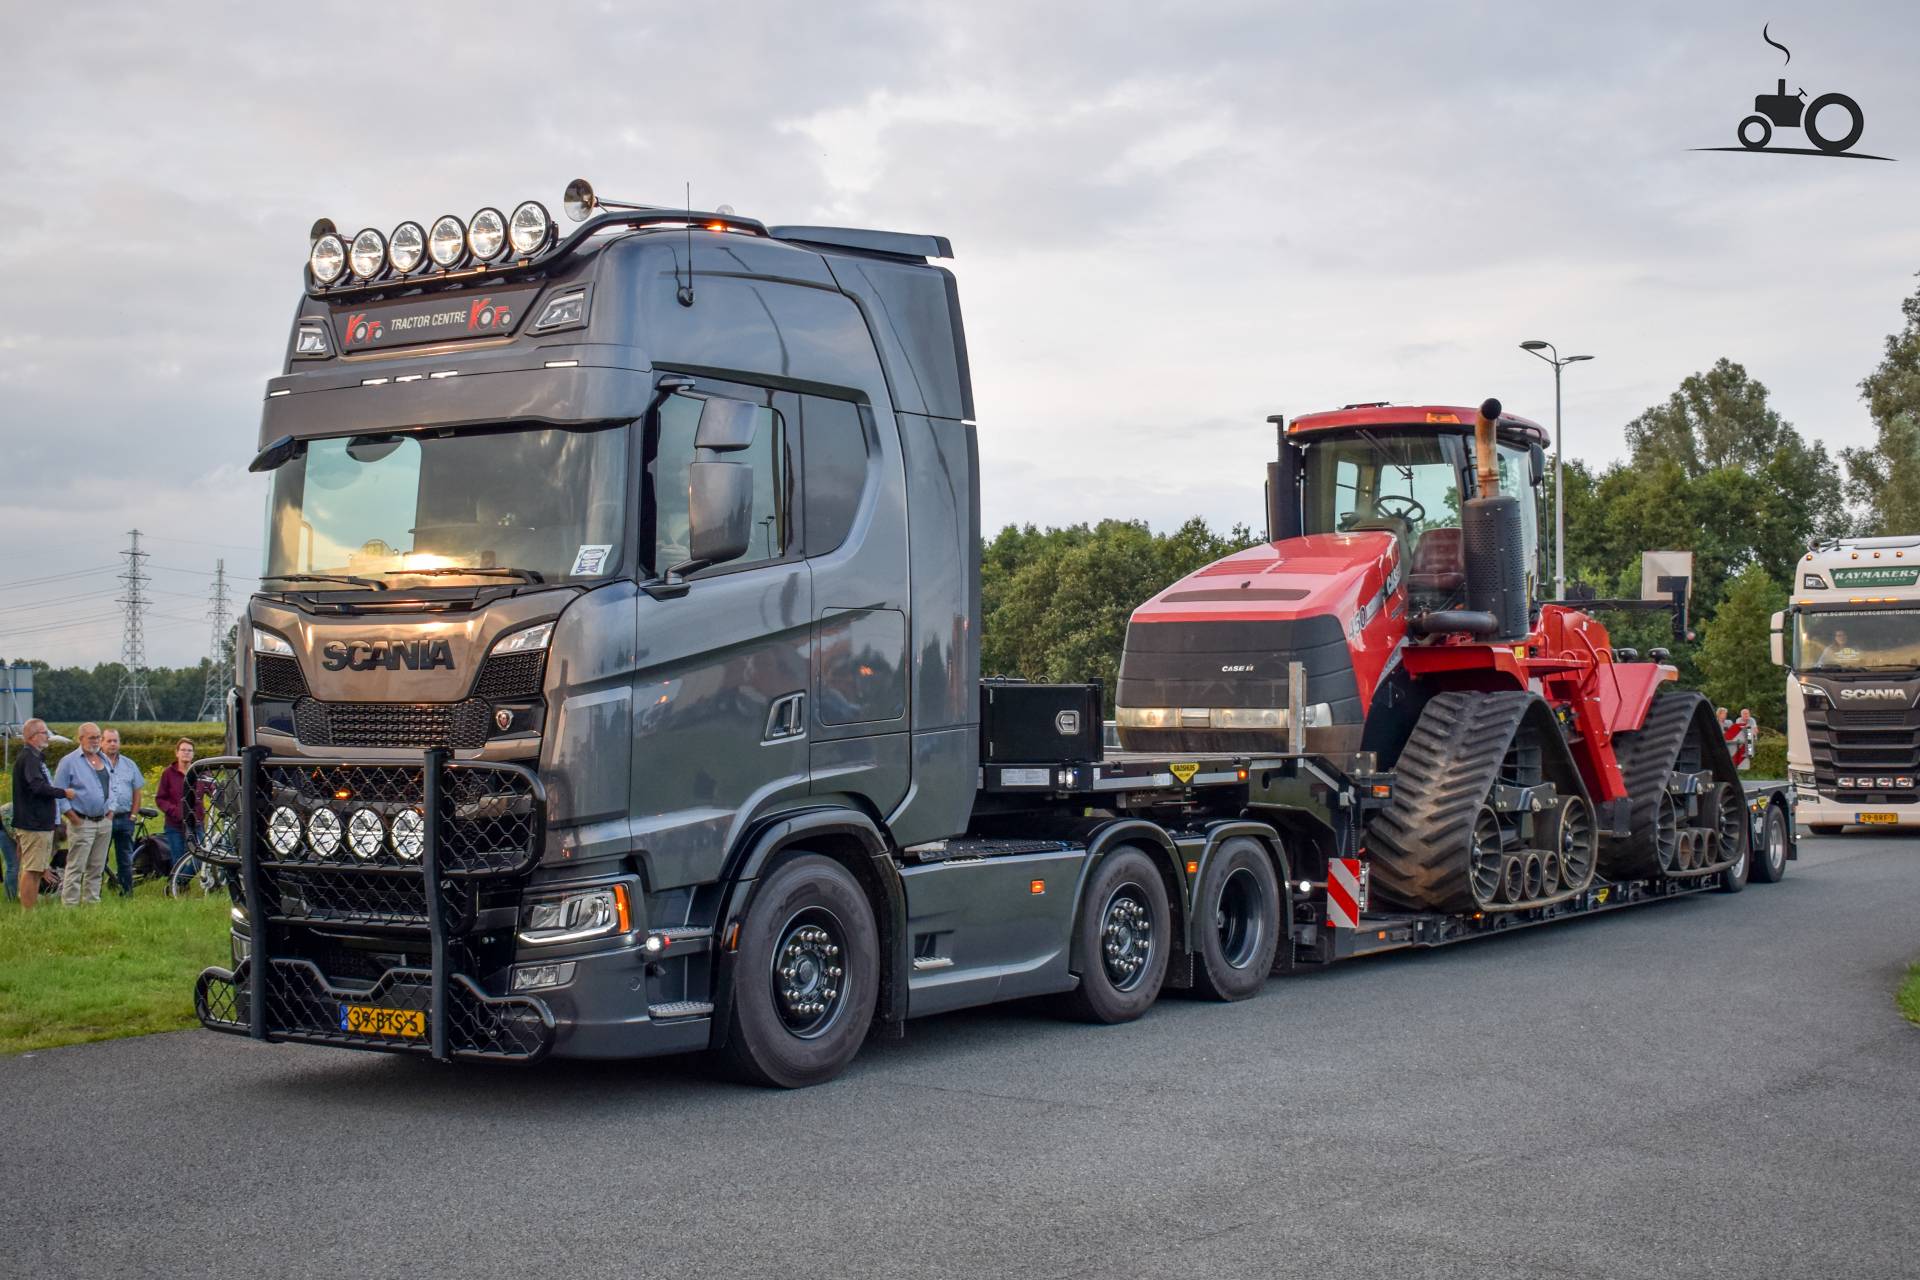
<point x="1447" y="770"/>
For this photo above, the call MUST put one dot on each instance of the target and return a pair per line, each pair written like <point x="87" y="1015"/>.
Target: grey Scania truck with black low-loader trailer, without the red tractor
<point x="613" y="688"/>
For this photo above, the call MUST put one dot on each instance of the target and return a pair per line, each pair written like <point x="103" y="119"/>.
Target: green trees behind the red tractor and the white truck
<point x="1714" y="471"/>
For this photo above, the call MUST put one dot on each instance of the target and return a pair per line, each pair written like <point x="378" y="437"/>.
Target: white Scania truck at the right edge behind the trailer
<point x="1852" y="646"/>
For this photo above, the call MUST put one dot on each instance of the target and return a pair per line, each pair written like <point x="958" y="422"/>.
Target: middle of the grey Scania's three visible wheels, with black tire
<point x="1124" y="895"/>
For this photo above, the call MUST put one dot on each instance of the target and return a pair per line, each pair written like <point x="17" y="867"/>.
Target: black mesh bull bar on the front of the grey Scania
<point x="364" y="849"/>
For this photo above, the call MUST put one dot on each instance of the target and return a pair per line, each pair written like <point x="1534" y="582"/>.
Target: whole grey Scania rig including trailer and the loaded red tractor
<point x="613" y="686"/>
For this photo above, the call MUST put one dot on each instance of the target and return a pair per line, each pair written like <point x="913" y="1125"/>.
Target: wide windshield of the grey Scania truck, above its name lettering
<point x="548" y="504"/>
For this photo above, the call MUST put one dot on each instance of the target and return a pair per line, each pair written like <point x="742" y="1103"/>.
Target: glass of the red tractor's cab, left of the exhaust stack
<point x="1401" y="483"/>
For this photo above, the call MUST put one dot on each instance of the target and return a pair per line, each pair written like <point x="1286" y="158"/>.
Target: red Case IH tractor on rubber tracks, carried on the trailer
<point x="1527" y="753"/>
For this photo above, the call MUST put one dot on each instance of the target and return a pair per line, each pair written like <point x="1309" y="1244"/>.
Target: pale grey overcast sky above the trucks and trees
<point x="1170" y="222"/>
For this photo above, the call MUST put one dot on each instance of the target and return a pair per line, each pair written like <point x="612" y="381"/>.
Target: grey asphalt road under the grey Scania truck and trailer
<point x="1716" y="1087"/>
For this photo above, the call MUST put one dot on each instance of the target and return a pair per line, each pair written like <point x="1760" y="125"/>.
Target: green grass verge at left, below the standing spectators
<point x="120" y="968"/>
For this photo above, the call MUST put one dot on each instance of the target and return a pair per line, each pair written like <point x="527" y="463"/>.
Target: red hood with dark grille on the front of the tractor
<point x="1207" y="661"/>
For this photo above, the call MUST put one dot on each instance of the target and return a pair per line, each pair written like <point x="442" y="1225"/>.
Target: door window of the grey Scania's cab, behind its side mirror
<point x="771" y="460"/>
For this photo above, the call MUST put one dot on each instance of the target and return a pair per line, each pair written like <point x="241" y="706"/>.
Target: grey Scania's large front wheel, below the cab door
<point x="775" y="1039"/>
